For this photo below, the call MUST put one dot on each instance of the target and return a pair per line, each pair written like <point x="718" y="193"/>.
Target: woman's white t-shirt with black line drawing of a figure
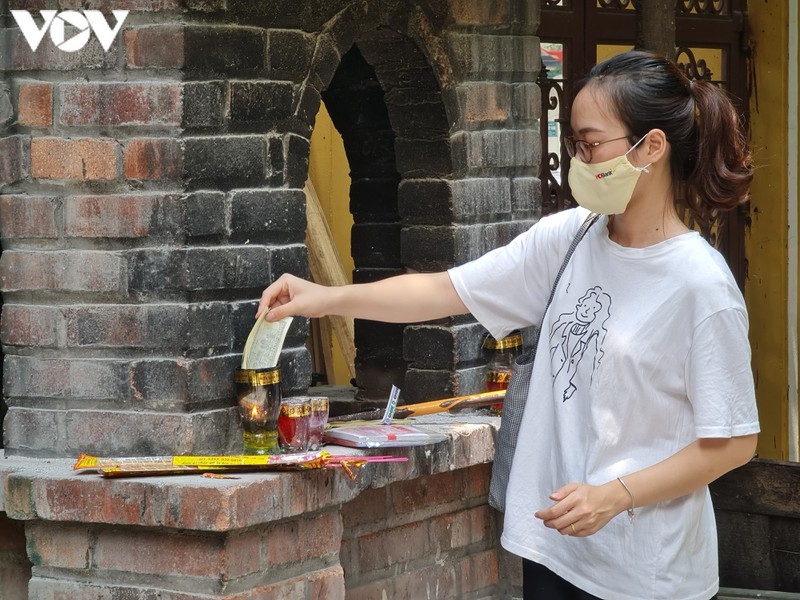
<point x="642" y="351"/>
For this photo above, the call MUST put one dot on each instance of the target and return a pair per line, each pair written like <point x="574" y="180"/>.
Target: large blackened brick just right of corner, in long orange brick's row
<point x="224" y="161"/>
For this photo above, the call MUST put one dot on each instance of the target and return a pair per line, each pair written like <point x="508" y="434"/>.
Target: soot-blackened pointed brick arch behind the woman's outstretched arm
<point x="385" y="99"/>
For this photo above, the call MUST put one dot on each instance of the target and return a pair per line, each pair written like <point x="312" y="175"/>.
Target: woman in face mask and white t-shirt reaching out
<point x="608" y="494"/>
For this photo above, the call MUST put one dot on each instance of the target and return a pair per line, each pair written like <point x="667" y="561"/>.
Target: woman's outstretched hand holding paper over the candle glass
<point x="291" y="296"/>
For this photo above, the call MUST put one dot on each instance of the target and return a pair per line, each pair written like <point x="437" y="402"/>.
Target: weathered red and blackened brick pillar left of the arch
<point x="142" y="216"/>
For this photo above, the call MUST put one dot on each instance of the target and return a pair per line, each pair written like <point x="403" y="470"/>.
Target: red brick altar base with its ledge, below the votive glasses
<point x="399" y="530"/>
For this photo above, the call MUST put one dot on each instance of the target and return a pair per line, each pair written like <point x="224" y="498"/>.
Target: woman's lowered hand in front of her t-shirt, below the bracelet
<point x="581" y="509"/>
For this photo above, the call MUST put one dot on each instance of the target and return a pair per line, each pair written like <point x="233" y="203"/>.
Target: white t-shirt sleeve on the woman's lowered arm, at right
<point x="719" y="379"/>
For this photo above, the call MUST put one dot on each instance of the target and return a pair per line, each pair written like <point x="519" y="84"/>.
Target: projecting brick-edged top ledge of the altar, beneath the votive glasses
<point x="48" y="489"/>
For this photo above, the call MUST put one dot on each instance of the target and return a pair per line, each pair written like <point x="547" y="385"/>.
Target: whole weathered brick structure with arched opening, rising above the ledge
<point x="182" y="197"/>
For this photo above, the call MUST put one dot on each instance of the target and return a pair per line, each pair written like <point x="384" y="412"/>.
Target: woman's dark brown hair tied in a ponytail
<point x="710" y="161"/>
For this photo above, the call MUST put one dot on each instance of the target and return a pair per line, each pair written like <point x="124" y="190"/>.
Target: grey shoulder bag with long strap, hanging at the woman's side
<point x="517" y="395"/>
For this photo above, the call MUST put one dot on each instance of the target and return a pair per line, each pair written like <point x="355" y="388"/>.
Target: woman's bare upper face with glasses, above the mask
<point x="593" y="122"/>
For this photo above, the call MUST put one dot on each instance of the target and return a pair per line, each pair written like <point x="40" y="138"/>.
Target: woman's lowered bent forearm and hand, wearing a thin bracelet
<point x="581" y="509"/>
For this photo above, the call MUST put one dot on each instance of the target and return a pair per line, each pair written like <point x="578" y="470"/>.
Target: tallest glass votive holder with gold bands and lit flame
<point x="258" y="395"/>
